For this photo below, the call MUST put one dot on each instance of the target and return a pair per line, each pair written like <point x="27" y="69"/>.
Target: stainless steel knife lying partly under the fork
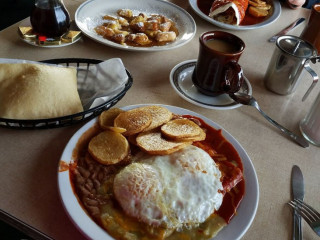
<point x="297" y="186"/>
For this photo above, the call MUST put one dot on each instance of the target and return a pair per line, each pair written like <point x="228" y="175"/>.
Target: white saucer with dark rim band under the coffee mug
<point x="181" y="81"/>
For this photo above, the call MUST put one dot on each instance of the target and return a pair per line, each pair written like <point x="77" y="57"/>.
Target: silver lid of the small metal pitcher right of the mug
<point x="295" y="46"/>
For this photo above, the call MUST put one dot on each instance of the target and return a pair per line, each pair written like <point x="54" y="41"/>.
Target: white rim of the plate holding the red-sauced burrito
<point x="275" y="15"/>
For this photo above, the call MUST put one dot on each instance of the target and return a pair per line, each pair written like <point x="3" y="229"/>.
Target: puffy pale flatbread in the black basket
<point x="38" y="91"/>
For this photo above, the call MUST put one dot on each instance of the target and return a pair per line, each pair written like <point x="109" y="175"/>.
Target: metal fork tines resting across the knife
<point x="308" y="213"/>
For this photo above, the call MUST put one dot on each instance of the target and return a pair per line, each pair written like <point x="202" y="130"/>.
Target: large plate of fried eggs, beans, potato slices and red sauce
<point x="157" y="172"/>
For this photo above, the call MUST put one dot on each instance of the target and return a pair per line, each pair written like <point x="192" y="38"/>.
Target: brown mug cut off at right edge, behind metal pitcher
<point x="311" y="33"/>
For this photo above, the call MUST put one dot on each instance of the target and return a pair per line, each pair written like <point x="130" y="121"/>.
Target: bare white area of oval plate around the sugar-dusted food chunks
<point x="89" y="14"/>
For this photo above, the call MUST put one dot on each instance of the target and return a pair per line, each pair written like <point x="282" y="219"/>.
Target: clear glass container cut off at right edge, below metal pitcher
<point x="310" y="125"/>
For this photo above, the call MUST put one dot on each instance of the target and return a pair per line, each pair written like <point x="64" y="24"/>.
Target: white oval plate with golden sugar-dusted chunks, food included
<point x="136" y="25"/>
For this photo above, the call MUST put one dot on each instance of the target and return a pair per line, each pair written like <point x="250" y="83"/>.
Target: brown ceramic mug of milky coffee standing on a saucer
<point x="217" y="70"/>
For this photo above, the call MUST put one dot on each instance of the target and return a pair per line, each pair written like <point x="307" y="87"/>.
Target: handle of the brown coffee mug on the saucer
<point x="233" y="77"/>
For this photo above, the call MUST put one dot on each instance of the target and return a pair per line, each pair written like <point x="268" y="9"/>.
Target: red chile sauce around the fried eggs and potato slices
<point x="215" y="143"/>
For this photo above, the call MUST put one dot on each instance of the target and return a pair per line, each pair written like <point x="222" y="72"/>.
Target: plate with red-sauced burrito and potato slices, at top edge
<point x="238" y="14"/>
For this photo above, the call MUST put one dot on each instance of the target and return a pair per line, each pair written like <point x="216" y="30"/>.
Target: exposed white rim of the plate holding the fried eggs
<point x="234" y="230"/>
